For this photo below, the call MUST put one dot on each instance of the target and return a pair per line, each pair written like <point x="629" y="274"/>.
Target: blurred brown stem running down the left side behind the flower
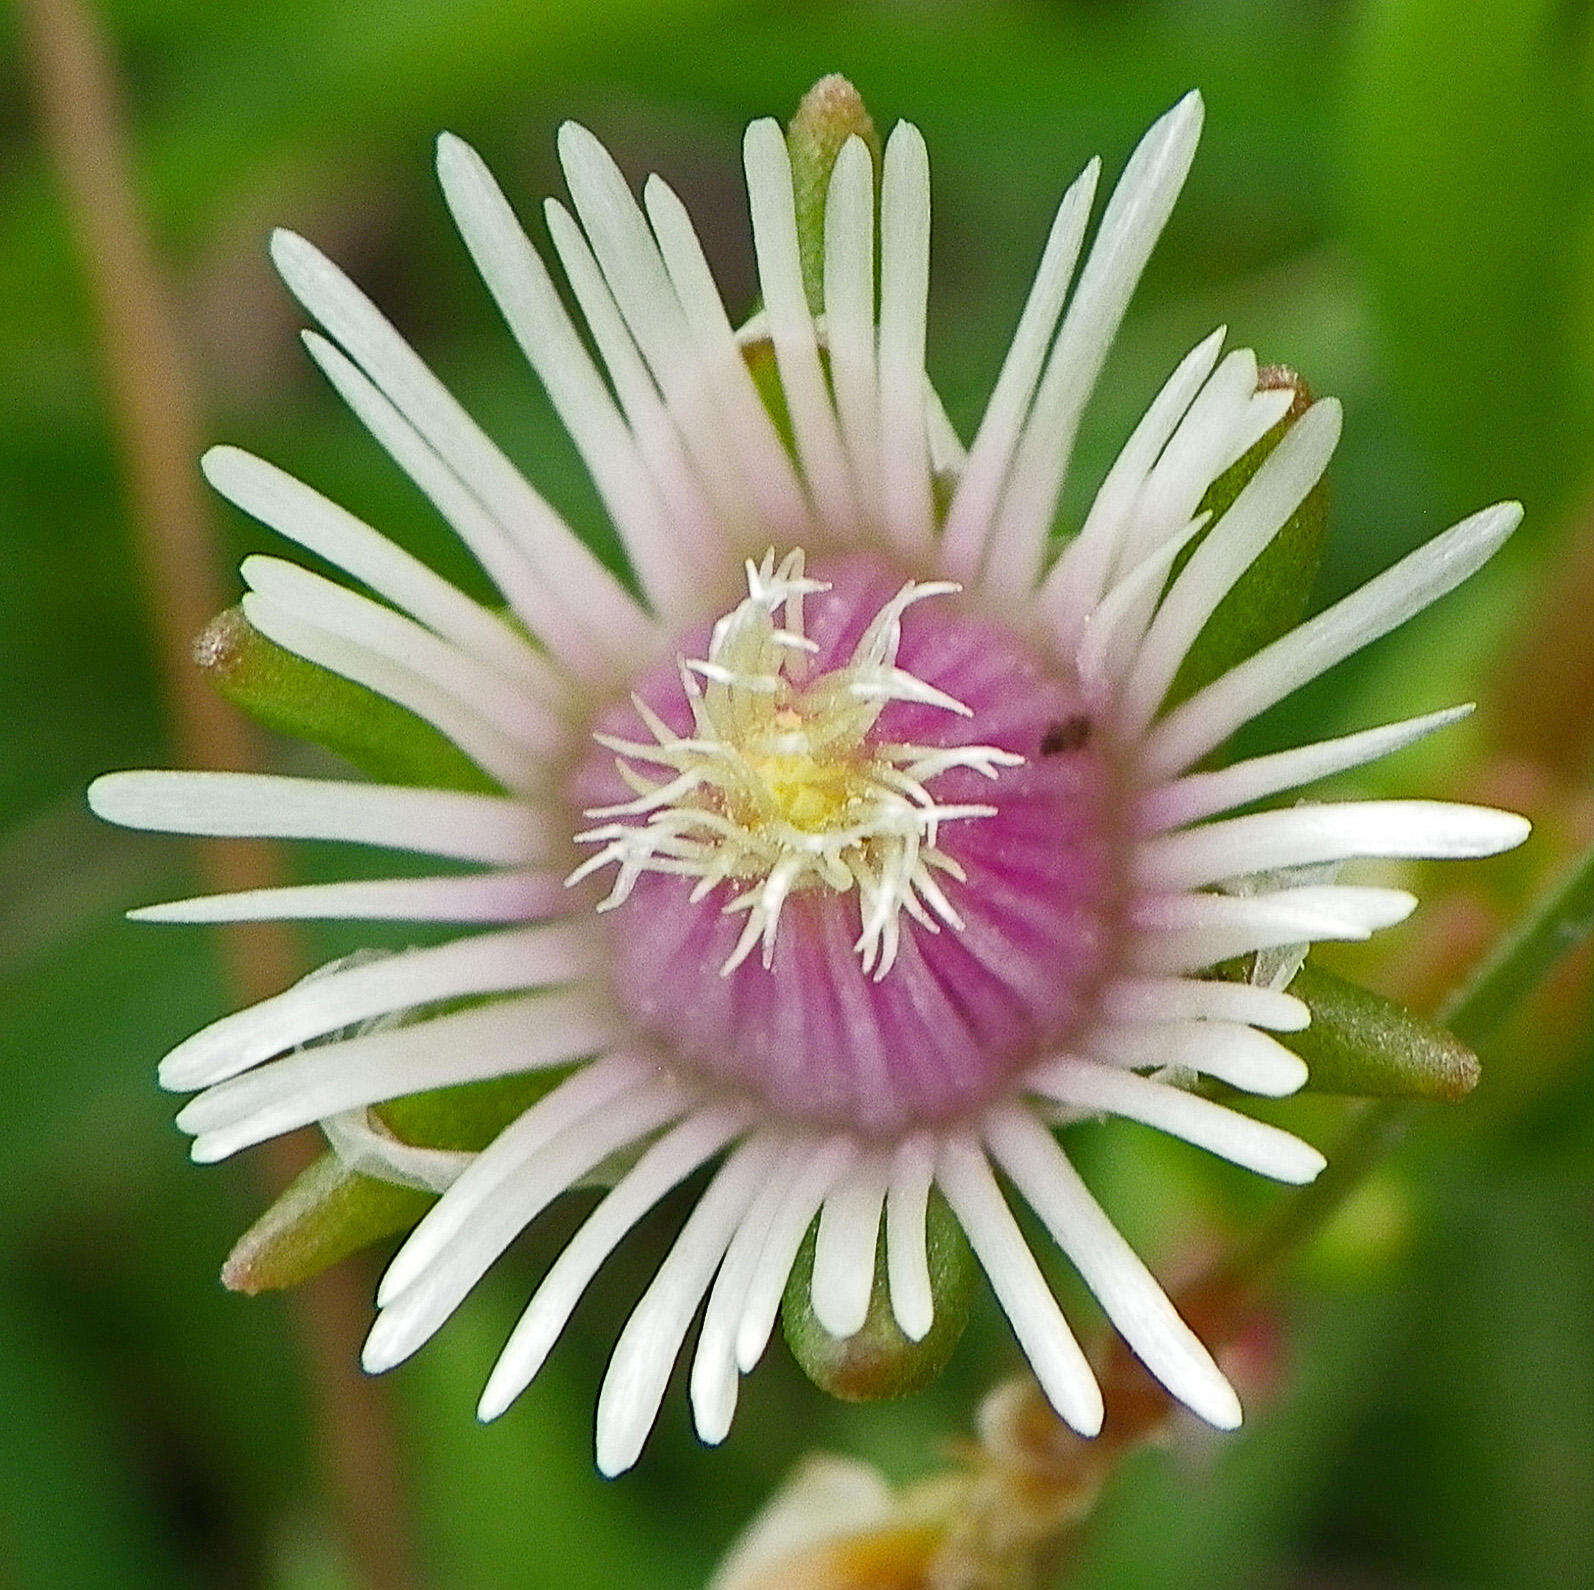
<point x="154" y="411"/>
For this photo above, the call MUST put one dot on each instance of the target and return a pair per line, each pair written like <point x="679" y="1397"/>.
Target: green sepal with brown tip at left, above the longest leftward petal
<point x="291" y="696"/>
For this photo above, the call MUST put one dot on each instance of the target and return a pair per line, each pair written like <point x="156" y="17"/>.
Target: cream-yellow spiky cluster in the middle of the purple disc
<point x="783" y="782"/>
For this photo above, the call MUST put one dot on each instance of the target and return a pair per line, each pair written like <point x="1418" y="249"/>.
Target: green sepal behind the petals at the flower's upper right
<point x="1273" y="594"/>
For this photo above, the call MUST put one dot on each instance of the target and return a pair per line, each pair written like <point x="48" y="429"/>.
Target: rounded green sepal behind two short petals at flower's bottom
<point x="879" y="1361"/>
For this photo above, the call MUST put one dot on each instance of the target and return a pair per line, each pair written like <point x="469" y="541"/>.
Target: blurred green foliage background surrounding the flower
<point x="1394" y="197"/>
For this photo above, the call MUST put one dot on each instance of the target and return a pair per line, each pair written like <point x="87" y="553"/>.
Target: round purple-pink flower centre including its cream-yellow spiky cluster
<point x="862" y="848"/>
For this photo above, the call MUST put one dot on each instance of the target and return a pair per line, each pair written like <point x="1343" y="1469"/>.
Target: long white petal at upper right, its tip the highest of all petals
<point x="1131" y="227"/>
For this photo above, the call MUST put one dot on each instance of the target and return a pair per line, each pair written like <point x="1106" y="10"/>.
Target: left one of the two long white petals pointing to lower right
<point x="1038" y="1323"/>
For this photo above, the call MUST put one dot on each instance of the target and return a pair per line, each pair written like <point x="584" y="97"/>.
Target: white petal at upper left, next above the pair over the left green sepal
<point x="316" y="524"/>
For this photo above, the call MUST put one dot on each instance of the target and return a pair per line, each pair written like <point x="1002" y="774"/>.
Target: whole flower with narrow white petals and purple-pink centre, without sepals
<point x="857" y="852"/>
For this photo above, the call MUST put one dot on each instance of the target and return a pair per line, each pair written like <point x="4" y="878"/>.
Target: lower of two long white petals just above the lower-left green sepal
<point x="520" y="1034"/>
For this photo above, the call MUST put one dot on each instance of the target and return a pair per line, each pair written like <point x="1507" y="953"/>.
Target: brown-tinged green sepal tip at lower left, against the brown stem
<point x="326" y="1214"/>
